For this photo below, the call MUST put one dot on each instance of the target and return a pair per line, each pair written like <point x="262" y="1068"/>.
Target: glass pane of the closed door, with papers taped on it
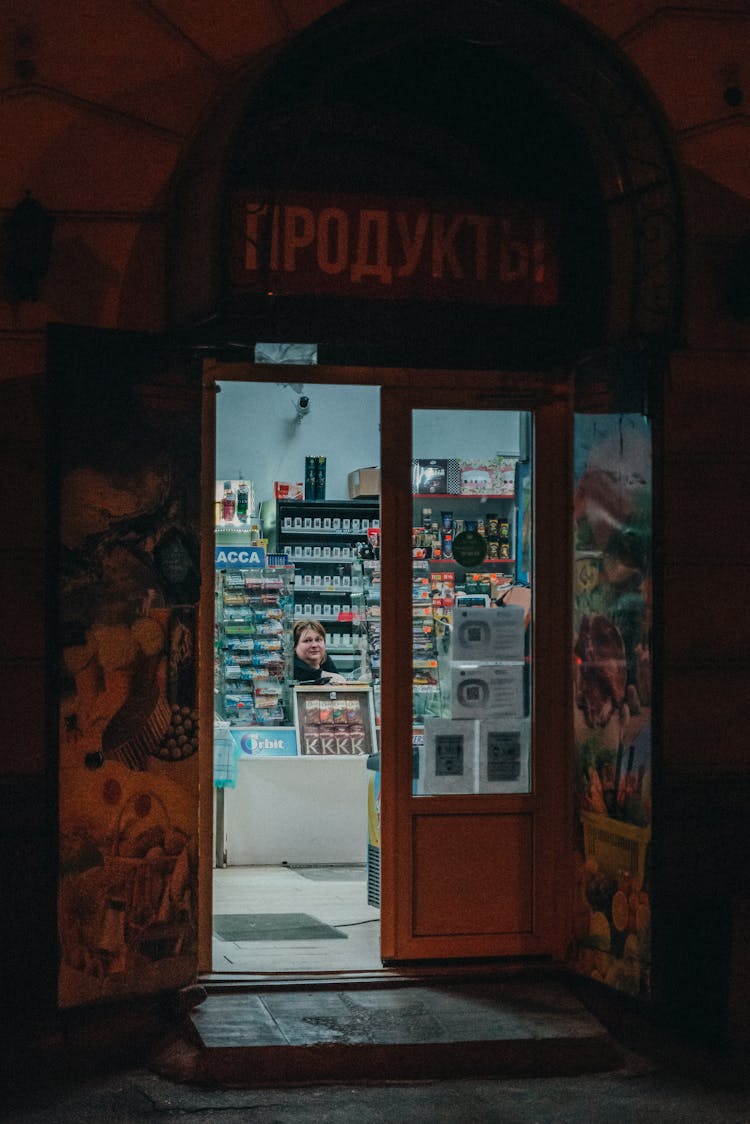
<point x="472" y="602"/>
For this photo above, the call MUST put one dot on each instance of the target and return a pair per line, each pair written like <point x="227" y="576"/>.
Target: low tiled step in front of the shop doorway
<point x="414" y="1030"/>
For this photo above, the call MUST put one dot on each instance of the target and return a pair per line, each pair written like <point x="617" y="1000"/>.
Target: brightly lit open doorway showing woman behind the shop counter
<point x="297" y="530"/>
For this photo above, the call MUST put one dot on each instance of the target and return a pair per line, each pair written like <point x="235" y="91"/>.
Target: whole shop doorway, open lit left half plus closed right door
<point x="379" y="896"/>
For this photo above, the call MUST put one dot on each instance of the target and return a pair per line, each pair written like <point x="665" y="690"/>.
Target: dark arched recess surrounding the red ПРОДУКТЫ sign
<point x="496" y="98"/>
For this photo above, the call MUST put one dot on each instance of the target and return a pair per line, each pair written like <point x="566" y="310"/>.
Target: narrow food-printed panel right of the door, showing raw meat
<point x="612" y="654"/>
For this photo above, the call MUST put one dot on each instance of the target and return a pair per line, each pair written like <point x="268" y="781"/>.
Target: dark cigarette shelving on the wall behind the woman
<point x="326" y="542"/>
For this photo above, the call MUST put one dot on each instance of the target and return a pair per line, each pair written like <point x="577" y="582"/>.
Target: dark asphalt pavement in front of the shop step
<point x="122" y="1066"/>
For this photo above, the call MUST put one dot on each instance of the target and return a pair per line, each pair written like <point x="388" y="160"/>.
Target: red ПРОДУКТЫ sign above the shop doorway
<point x="505" y="253"/>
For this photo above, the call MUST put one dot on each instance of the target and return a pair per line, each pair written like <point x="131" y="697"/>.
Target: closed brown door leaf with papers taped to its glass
<point x="476" y="755"/>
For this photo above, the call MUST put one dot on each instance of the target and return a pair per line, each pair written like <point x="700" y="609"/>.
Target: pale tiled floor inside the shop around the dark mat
<point x="339" y="901"/>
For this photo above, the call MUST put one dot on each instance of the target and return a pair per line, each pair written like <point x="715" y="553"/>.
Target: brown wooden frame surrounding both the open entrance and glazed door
<point x="430" y="389"/>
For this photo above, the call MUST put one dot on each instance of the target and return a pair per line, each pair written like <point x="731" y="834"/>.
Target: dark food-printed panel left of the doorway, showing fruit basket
<point x="129" y="720"/>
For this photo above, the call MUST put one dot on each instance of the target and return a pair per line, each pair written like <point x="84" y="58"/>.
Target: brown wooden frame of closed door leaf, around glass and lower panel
<point x="552" y="401"/>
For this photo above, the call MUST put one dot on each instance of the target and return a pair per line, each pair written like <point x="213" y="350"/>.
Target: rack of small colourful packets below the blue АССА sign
<point x="254" y="664"/>
